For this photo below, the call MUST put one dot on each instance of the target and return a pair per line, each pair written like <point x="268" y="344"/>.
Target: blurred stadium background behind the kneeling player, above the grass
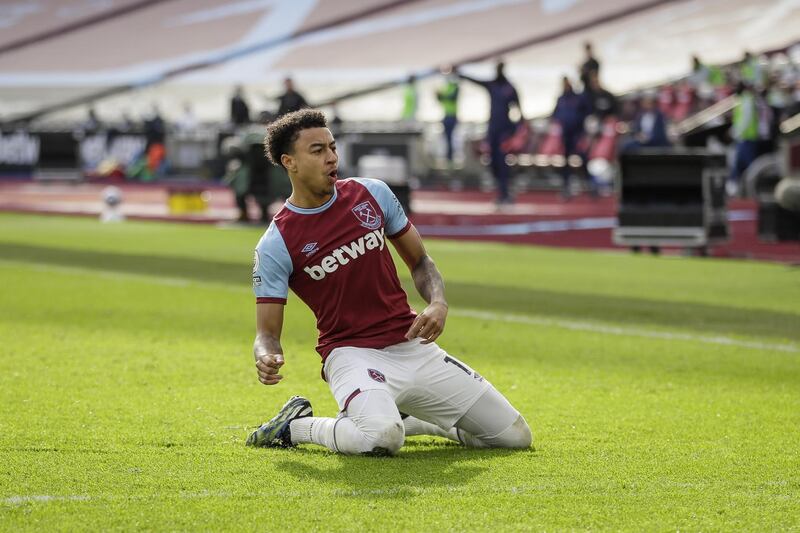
<point x="134" y="92"/>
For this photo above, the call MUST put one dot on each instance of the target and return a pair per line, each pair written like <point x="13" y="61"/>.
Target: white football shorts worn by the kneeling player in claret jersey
<point x="424" y="380"/>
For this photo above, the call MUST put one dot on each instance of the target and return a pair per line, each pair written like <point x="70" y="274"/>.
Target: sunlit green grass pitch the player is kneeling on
<point x="127" y="389"/>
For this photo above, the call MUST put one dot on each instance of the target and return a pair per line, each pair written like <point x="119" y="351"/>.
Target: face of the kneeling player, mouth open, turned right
<point x="315" y="162"/>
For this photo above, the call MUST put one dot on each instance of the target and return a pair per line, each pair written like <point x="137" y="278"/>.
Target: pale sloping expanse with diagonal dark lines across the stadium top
<point x="51" y="51"/>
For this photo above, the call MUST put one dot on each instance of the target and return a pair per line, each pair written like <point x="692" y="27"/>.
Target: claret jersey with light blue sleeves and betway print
<point x="335" y="258"/>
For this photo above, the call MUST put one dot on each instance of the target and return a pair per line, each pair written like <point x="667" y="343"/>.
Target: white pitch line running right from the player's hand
<point x="623" y="331"/>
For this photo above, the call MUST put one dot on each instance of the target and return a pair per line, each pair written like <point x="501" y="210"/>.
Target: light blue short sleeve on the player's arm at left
<point x="272" y="267"/>
